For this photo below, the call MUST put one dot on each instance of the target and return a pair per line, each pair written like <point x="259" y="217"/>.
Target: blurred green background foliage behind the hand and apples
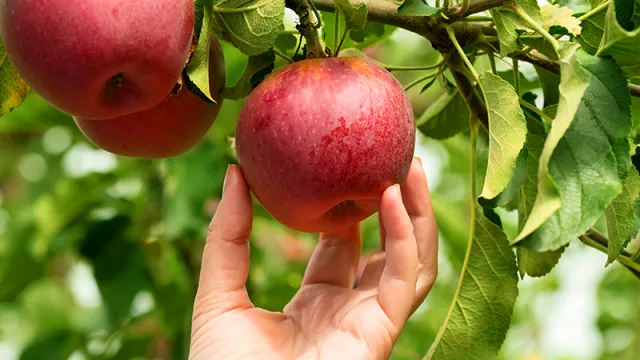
<point x="99" y="255"/>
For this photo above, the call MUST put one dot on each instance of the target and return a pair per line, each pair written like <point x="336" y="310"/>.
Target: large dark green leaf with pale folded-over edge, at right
<point x="586" y="156"/>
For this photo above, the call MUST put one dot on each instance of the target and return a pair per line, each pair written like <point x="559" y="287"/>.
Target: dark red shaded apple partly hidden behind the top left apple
<point x="168" y="129"/>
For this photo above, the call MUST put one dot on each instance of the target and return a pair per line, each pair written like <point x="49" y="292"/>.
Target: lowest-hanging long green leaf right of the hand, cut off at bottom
<point x="480" y="313"/>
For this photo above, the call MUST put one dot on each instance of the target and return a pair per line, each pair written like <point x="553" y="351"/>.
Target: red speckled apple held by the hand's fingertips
<point x="321" y="139"/>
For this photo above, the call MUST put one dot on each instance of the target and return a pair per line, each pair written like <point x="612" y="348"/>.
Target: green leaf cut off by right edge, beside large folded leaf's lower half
<point x="620" y="216"/>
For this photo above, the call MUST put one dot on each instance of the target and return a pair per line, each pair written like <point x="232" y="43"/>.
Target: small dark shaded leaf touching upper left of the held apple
<point x="257" y="68"/>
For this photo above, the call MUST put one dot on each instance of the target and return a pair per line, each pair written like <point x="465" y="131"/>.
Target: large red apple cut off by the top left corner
<point x="99" y="58"/>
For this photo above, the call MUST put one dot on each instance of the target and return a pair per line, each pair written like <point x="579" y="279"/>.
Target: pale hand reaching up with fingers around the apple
<point x="331" y="316"/>
